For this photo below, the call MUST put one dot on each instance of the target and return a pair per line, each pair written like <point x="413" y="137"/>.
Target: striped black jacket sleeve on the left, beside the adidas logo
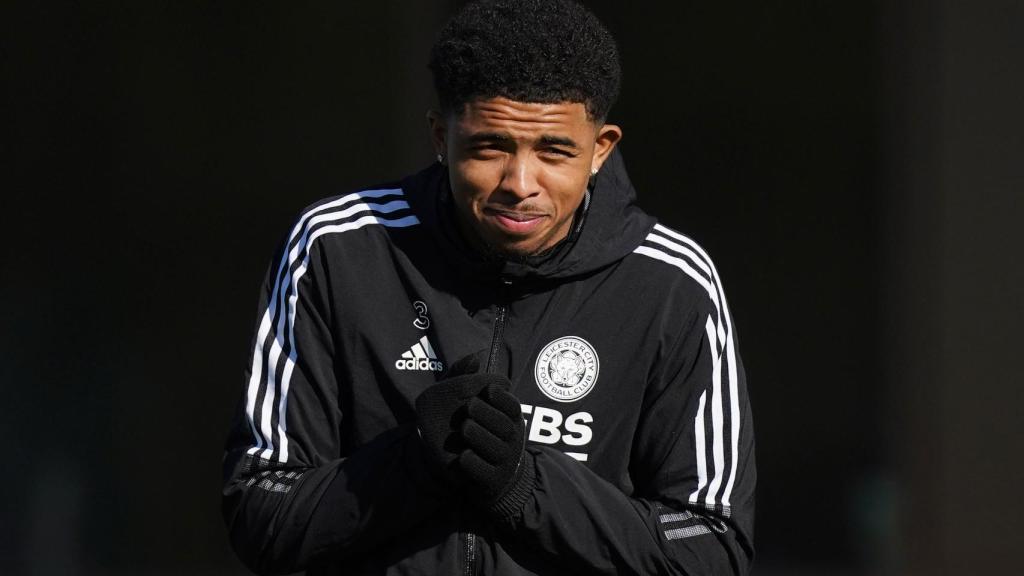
<point x="294" y="496"/>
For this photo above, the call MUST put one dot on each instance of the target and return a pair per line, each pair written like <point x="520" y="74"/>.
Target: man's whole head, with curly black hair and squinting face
<point x="525" y="88"/>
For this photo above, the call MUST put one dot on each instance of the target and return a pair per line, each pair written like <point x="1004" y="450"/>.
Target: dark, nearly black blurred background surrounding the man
<point x="855" y="168"/>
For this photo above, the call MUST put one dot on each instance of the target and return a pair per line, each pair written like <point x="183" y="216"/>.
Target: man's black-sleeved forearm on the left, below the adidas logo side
<point x="347" y="506"/>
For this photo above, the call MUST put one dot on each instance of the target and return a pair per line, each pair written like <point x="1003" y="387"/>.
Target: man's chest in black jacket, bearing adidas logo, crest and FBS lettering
<point x="579" y="357"/>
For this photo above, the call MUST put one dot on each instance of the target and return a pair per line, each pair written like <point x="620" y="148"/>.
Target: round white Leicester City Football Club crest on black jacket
<point x="567" y="369"/>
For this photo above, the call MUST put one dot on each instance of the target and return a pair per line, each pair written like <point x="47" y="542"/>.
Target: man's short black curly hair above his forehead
<point x="542" y="52"/>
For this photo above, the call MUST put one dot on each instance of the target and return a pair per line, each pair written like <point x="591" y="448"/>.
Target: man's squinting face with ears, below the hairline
<point x="520" y="171"/>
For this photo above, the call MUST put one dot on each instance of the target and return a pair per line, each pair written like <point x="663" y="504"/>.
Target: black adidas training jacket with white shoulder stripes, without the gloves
<point x="619" y="344"/>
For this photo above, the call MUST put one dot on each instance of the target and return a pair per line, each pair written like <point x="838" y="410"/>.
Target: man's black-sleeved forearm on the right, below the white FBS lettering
<point x="585" y="522"/>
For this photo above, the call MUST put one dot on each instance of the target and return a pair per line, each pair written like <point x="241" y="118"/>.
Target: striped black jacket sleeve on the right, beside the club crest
<point x="693" y="468"/>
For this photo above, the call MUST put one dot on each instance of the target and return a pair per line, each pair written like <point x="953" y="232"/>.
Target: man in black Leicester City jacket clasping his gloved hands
<point x="499" y="365"/>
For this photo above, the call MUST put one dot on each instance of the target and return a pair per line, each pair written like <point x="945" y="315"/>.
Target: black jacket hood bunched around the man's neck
<point x="609" y="227"/>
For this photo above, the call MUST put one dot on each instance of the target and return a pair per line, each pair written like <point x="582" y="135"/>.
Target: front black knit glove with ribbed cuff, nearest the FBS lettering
<point x="494" y="463"/>
